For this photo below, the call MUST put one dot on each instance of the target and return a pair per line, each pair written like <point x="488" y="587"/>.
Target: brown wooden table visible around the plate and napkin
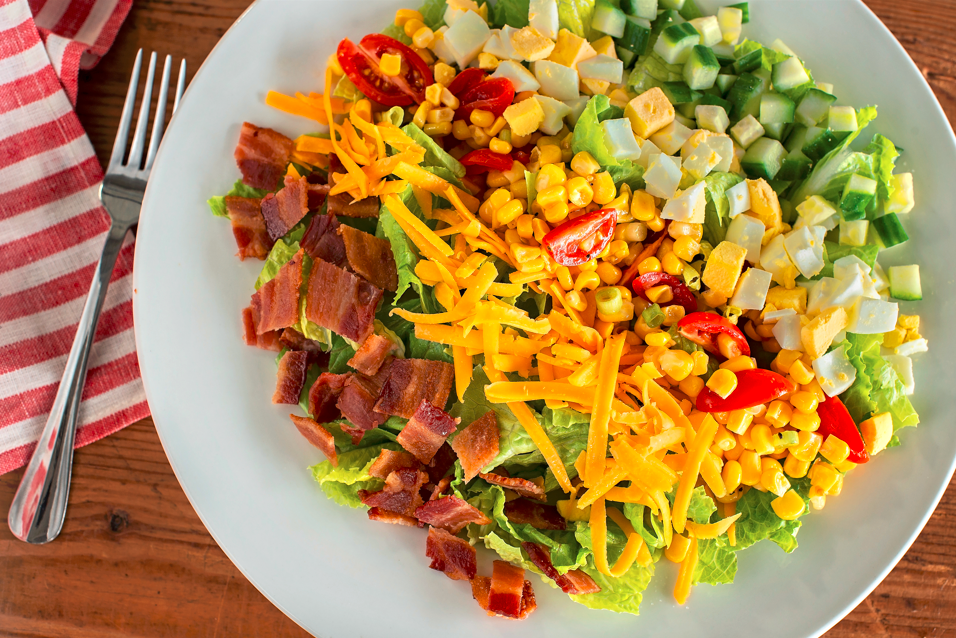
<point x="134" y="559"/>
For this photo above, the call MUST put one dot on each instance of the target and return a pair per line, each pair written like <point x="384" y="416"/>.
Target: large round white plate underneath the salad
<point x="243" y="465"/>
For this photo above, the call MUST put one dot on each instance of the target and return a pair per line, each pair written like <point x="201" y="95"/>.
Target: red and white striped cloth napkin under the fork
<point x="52" y="228"/>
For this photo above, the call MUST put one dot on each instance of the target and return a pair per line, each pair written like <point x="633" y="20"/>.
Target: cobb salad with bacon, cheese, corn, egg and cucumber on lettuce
<point x="591" y="284"/>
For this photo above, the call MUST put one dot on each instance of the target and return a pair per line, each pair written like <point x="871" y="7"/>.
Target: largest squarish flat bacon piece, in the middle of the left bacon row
<point x="342" y="302"/>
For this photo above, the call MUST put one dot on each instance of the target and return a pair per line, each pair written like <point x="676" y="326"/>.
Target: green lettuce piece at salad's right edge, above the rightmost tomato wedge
<point x="877" y="387"/>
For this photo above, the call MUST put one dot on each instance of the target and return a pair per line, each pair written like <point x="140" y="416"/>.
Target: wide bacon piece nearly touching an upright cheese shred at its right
<point x="414" y="380"/>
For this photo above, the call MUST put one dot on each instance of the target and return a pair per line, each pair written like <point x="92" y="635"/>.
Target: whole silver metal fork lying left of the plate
<point x="39" y="506"/>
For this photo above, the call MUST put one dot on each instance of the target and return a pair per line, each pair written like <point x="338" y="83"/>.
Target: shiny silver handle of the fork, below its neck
<point x="39" y="506"/>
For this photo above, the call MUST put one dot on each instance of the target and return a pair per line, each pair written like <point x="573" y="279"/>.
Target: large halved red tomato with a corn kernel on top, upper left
<point x="360" y="63"/>
